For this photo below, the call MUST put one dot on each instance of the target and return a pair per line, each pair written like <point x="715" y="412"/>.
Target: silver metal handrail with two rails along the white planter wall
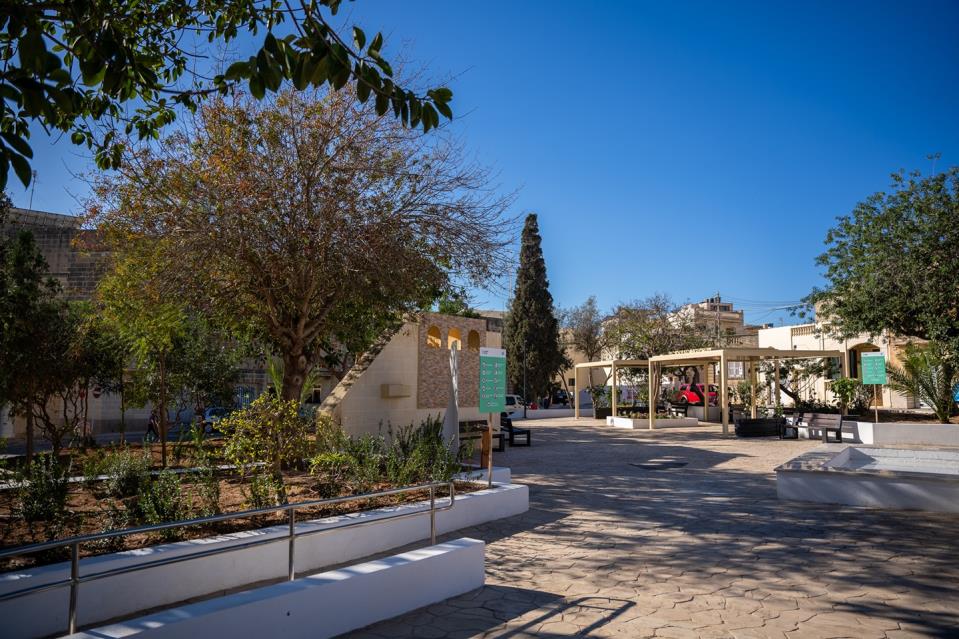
<point x="74" y="543"/>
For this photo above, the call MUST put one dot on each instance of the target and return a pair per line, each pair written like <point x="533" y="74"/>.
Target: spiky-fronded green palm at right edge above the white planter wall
<point x="928" y="374"/>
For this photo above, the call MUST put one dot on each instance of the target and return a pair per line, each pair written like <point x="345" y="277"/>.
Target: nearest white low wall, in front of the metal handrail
<point x="323" y="605"/>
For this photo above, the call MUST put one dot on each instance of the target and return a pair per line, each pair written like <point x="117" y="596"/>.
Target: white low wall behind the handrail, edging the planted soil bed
<point x="45" y="613"/>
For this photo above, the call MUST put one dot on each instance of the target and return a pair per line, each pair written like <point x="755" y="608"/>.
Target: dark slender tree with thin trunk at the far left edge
<point x="29" y="308"/>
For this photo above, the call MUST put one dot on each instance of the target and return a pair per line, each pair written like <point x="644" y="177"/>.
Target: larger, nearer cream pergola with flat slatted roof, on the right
<point x="751" y="356"/>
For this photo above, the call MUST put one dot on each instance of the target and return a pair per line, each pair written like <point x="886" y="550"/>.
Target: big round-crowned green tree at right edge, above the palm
<point x="891" y="265"/>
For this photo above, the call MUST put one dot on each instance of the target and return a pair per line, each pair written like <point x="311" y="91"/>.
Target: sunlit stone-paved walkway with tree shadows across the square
<point x="706" y="550"/>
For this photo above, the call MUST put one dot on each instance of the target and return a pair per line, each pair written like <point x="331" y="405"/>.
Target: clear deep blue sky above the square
<point x="675" y="147"/>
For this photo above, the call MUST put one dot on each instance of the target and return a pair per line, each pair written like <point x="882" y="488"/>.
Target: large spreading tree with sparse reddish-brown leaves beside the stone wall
<point x="307" y="218"/>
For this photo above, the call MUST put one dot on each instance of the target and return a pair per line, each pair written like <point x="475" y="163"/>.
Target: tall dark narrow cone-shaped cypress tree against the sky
<point x="532" y="330"/>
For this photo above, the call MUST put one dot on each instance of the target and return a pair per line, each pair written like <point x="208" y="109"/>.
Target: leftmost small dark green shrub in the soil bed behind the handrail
<point x="42" y="492"/>
